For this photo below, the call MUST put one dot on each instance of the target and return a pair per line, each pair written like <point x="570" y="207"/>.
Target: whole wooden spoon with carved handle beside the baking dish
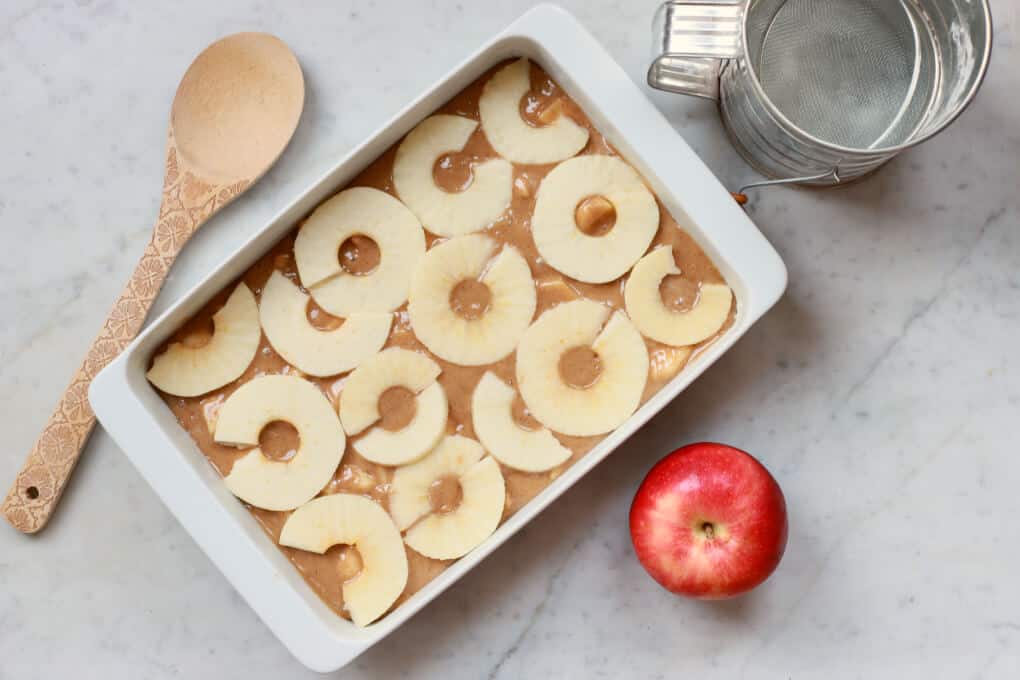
<point x="235" y="112"/>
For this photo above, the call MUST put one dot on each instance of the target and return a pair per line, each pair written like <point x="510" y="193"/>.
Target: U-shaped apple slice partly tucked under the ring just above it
<point x="283" y="310"/>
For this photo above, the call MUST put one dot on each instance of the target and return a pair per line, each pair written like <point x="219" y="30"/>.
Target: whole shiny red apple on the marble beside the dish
<point x="709" y="521"/>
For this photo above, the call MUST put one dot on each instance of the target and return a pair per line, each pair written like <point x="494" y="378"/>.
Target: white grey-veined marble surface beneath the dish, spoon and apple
<point x="884" y="391"/>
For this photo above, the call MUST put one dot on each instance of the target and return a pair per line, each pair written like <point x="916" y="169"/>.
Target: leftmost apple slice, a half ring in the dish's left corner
<point x="185" y="372"/>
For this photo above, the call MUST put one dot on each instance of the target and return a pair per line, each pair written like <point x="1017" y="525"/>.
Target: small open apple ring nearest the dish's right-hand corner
<point x="659" y="323"/>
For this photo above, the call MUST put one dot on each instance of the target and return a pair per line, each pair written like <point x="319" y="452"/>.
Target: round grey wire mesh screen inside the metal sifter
<point x="848" y="72"/>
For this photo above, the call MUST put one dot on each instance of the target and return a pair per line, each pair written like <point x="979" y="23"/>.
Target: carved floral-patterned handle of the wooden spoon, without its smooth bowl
<point x="187" y="203"/>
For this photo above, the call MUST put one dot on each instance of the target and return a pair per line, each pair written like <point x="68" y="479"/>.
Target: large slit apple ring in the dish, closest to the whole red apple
<point x="616" y="394"/>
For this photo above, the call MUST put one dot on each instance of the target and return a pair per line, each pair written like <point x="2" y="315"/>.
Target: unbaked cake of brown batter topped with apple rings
<point x="438" y="342"/>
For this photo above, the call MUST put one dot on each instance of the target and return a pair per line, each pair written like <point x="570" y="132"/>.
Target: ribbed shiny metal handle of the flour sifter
<point x="693" y="41"/>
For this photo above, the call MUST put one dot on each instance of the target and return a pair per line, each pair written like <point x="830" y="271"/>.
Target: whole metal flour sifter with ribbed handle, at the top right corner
<point x="823" y="92"/>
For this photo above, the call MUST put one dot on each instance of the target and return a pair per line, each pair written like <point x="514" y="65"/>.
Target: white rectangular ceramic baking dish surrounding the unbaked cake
<point x="142" y="426"/>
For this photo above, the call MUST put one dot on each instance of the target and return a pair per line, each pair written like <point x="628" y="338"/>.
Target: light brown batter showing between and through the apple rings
<point x="327" y="573"/>
